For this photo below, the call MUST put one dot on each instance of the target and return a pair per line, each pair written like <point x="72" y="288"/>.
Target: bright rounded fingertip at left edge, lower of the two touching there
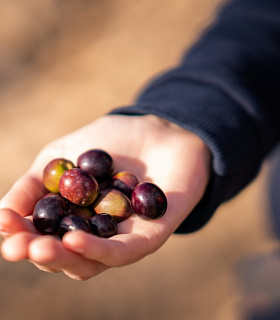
<point x="15" y="248"/>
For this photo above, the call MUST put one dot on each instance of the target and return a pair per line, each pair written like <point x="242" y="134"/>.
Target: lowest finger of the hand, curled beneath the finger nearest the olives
<point x="49" y="253"/>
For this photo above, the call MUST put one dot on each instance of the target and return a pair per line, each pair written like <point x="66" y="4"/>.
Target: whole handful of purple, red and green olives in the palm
<point x="92" y="198"/>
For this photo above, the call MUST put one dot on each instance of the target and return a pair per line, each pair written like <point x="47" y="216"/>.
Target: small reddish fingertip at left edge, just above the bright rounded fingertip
<point x="11" y="222"/>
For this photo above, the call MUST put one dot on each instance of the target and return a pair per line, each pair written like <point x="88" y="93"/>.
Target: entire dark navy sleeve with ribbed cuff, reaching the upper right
<point x="226" y="90"/>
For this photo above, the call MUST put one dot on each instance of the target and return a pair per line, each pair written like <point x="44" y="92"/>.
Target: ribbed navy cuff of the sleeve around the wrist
<point x="219" y="121"/>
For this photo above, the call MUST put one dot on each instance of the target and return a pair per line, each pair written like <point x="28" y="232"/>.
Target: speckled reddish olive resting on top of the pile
<point x="79" y="187"/>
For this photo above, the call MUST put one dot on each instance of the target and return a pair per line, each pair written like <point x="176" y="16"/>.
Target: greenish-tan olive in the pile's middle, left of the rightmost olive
<point x="113" y="202"/>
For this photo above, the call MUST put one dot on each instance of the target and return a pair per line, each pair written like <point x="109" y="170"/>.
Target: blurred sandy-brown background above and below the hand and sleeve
<point x="64" y="64"/>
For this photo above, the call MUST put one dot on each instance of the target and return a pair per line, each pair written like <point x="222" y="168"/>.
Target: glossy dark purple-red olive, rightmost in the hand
<point x="148" y="201"/>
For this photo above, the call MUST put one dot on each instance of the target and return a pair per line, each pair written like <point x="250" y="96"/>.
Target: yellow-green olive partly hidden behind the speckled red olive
<point x="53" y="172"/>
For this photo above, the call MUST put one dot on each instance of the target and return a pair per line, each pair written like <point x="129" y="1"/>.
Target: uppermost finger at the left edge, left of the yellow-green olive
<point x="23" y="195"/>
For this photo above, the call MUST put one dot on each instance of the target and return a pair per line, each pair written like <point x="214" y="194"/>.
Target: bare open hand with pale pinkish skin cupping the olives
<point x="157" y="151"/>
